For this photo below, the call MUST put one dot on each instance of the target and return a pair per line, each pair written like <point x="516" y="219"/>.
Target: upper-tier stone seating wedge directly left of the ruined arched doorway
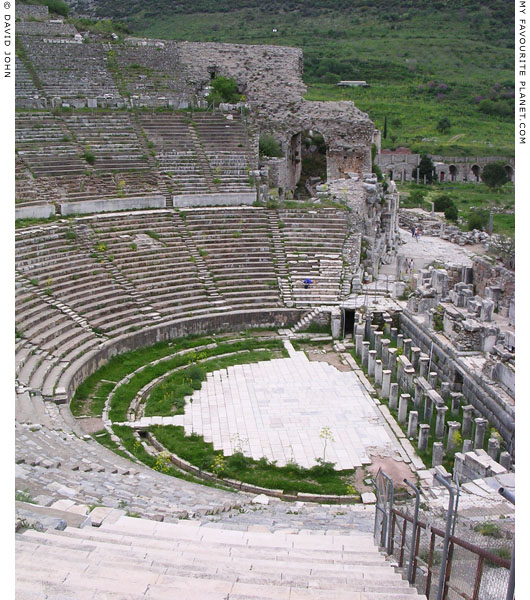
<point x="225" y="145"/>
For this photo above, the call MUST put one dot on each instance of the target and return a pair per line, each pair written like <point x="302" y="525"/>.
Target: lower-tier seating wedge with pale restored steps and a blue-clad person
<point x="313" y="243"/>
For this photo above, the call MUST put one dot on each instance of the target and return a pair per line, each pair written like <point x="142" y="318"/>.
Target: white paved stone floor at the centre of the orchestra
<point x="277" y="409"/>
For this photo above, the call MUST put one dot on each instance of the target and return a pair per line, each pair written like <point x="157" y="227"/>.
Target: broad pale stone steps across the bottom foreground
<point x="127" y="559"/>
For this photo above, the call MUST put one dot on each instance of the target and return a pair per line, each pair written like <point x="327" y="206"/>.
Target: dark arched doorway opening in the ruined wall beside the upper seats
<point x="313" y="157"/>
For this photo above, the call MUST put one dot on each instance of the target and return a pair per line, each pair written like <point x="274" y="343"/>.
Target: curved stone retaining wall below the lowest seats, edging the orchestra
<point x="233" y="321"/>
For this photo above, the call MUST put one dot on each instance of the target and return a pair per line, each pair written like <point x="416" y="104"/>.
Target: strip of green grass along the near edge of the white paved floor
<point x="320" y="479"/>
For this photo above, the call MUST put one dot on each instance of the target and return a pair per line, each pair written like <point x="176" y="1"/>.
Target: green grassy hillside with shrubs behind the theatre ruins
<point x="426" y="62"/>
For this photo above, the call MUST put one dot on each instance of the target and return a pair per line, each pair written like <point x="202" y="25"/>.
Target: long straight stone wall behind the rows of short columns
<point x="445" y="362"/>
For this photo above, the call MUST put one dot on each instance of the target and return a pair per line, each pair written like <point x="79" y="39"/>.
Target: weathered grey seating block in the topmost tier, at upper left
<point x="72" y="70"/>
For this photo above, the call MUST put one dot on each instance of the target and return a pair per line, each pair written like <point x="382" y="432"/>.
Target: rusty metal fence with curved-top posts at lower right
<point x="445" y="557"/>
